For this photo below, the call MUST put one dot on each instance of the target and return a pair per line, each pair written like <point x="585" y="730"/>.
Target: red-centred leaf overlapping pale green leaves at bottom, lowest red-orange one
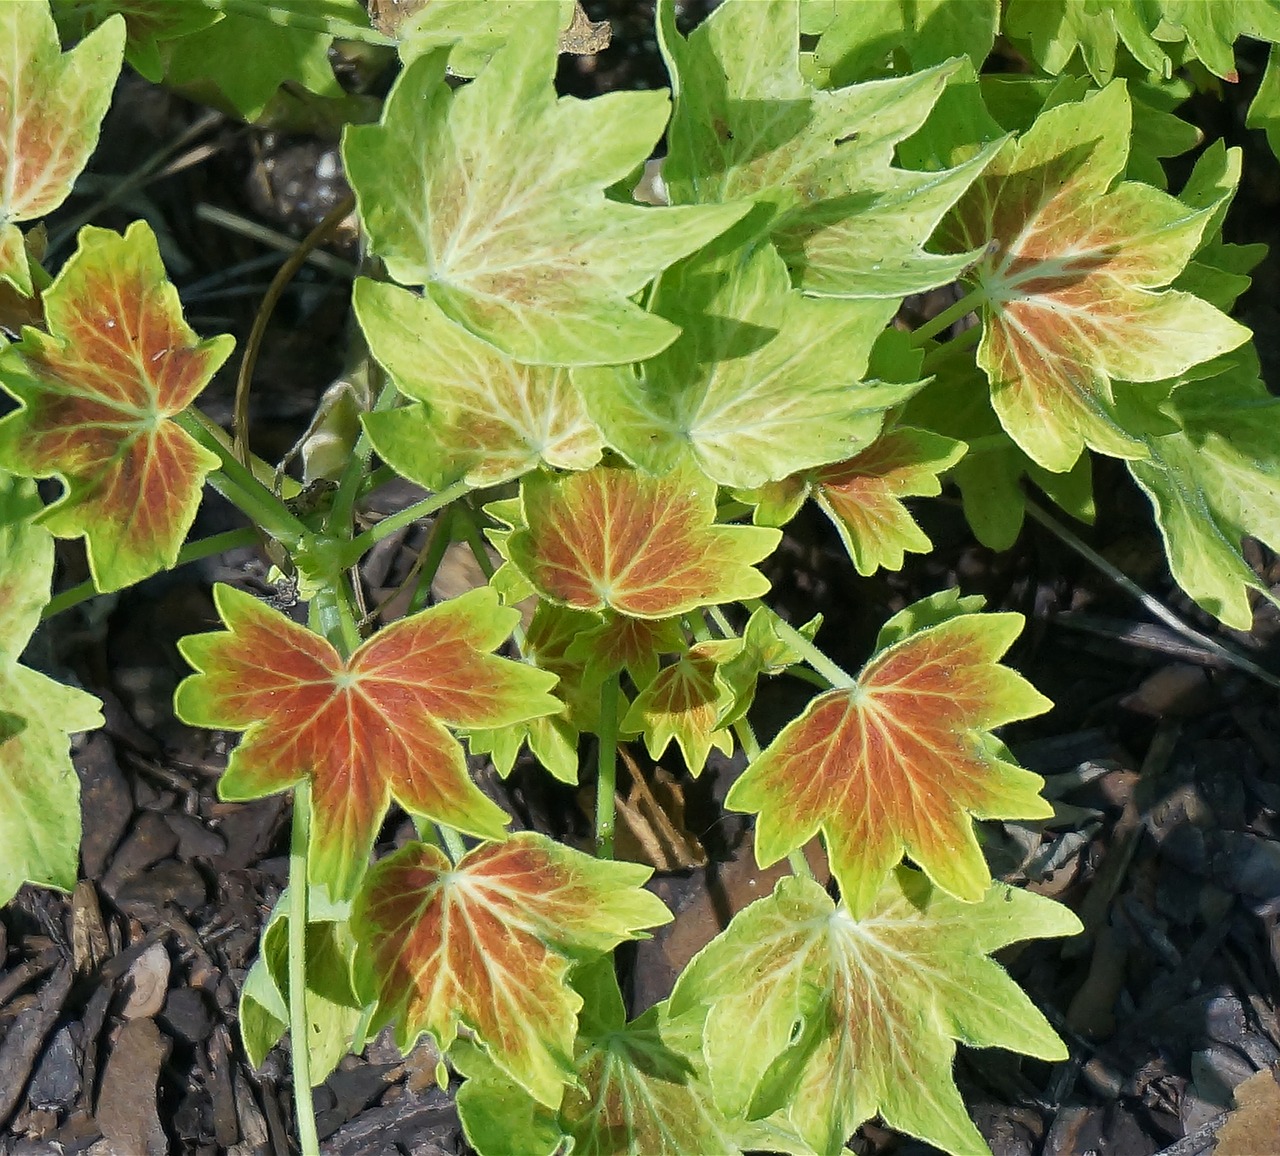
<point x="488" y="944"/>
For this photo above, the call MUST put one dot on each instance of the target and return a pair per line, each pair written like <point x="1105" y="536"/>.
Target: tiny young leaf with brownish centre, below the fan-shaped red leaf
<point x="687" y="702"/>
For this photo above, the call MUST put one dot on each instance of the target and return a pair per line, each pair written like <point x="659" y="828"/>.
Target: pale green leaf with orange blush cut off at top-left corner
<point x="52" y="107"/>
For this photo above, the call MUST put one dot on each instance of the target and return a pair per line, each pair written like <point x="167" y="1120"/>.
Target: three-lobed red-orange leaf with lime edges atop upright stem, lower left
<point x="367" y="729"/>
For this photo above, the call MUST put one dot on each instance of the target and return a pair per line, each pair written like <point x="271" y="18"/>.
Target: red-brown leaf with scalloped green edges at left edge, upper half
<point x="98" y="395"/>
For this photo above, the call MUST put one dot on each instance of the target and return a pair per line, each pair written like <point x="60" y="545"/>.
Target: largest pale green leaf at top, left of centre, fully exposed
<point x="492" y="197"/>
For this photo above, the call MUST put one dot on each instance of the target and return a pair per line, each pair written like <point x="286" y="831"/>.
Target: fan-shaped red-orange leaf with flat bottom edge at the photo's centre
<point x="623" y="541"/>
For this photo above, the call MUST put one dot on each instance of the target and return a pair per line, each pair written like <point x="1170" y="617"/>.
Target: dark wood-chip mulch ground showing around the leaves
<point x="118" y="1004"/>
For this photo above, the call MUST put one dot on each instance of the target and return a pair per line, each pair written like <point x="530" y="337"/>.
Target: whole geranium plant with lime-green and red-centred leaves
<point x="632" y="400"/>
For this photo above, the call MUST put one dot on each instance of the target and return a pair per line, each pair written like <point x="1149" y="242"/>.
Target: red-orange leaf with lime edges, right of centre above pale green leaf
<point x="903" y="759"/>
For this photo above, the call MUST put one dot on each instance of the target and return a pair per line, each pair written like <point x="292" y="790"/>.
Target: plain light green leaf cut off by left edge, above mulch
<point x="40" y="820"/>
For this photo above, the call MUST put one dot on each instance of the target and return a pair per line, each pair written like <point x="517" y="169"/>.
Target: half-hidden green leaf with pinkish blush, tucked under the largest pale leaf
<point x="484" y="418"/>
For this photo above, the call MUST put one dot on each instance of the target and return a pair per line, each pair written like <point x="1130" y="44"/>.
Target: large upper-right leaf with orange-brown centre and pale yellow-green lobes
<point x="1072" y="284"/>
